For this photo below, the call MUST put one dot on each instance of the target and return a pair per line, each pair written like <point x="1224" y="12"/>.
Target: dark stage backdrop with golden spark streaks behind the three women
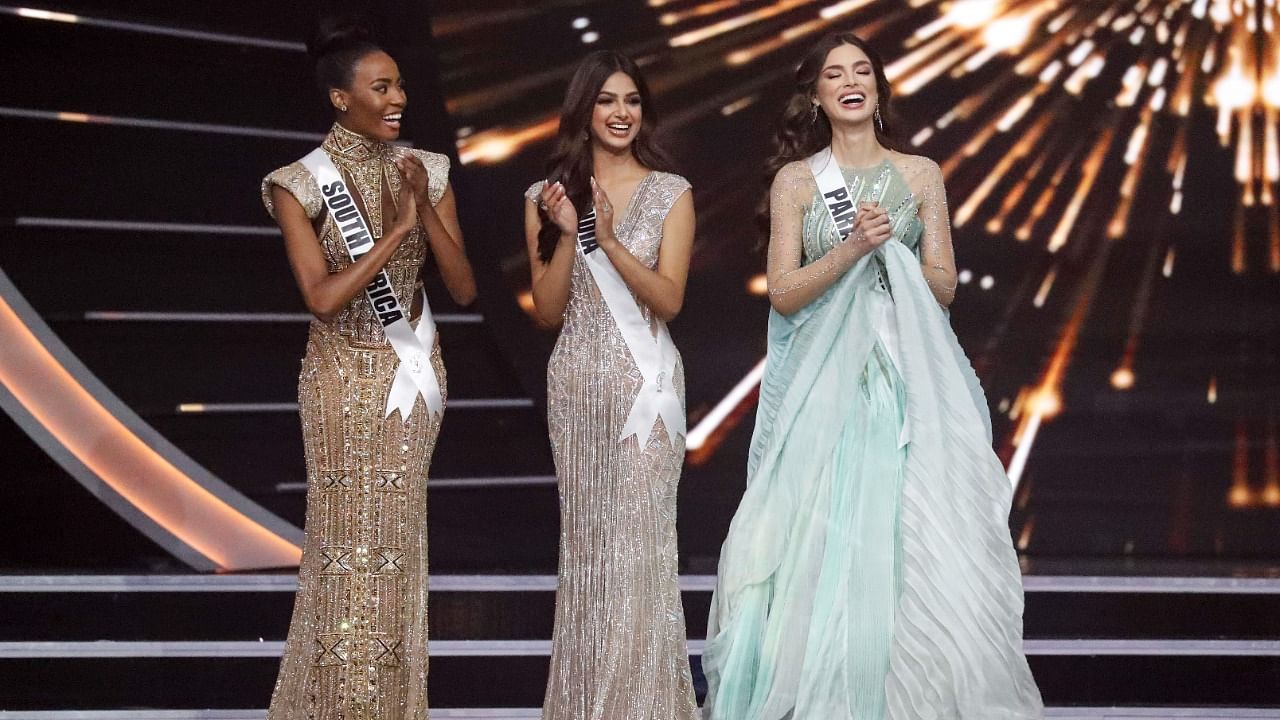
<point x="1182" y="467"/>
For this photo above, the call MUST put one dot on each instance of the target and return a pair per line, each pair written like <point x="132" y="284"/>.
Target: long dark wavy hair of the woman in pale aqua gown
<point x="801" y="134"/>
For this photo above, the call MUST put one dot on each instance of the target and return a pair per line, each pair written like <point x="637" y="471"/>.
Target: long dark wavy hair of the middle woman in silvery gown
<point x="572" y="162"/>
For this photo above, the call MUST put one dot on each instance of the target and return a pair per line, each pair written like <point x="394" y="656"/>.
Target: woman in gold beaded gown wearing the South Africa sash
<point x="371" y="394"/>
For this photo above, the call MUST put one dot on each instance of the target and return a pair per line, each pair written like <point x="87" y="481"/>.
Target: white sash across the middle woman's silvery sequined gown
<point x="655" y="356"/>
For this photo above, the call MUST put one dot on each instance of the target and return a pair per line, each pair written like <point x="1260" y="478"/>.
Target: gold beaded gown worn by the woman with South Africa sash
<point x="356" y="648"/>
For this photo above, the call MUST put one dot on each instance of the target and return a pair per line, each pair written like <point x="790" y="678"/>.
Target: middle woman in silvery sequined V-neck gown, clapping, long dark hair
<point x="615" y="399"/>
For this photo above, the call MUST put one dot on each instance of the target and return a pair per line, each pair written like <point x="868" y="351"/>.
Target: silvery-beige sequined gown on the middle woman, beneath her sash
<point x="620" y="650"/>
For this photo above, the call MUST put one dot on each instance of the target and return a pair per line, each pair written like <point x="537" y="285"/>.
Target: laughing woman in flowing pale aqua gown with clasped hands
<point x="868" y="573"/>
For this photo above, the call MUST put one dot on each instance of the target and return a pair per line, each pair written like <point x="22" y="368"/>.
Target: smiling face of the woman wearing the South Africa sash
<point x="376" y="99"/>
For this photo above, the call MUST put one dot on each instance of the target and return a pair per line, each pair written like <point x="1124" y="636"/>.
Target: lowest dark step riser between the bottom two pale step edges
<point x="519" y="681"/>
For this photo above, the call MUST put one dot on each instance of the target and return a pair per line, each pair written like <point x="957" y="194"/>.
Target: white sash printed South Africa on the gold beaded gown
<point x="415" y="375"/>
